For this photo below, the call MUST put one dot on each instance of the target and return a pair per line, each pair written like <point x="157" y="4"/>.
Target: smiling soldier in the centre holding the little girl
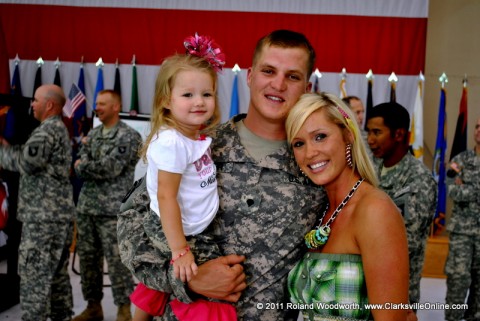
<point x="266" y="206"/>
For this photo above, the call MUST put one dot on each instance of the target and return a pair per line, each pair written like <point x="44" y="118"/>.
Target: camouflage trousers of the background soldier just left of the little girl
<point x="96" y="241"/>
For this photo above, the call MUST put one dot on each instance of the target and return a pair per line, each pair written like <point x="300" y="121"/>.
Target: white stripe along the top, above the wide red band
<point x="382" y="8"/>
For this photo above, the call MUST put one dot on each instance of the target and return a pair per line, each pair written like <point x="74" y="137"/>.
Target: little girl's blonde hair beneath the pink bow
<point x="161" y="116"/>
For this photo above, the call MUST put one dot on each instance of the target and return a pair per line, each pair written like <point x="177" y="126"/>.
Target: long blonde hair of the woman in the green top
<point x="338" y="113"/>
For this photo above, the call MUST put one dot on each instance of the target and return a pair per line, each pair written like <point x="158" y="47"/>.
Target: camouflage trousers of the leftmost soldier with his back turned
<point x="45" y="289"/>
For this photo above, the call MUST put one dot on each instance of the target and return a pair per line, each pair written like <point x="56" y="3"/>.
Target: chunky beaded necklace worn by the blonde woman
<point x="319" y="236"/>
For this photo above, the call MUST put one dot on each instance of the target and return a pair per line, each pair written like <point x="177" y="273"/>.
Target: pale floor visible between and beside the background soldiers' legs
<point x="432" y="291"/>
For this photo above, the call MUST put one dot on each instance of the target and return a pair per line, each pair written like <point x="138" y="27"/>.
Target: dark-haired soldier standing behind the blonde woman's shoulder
<point x="405" y="179"/>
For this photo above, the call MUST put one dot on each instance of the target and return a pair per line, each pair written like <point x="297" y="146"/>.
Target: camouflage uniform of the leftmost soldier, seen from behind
<point x="45" y="206"/>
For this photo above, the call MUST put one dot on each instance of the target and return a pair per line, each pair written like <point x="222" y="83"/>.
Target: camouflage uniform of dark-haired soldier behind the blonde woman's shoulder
<point x="413" y="189"/>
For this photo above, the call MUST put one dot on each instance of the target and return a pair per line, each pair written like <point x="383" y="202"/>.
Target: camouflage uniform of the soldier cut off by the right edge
<point x="463" y="262"/>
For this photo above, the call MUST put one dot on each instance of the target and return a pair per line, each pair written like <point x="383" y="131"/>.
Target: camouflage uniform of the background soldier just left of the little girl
<point x="107" y="167"/>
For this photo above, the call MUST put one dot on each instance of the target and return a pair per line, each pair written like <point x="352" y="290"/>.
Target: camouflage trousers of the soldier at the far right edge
<point x="462" y="268"/>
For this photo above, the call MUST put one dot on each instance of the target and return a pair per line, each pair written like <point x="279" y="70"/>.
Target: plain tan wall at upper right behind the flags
<point x="453" y="47"/>
